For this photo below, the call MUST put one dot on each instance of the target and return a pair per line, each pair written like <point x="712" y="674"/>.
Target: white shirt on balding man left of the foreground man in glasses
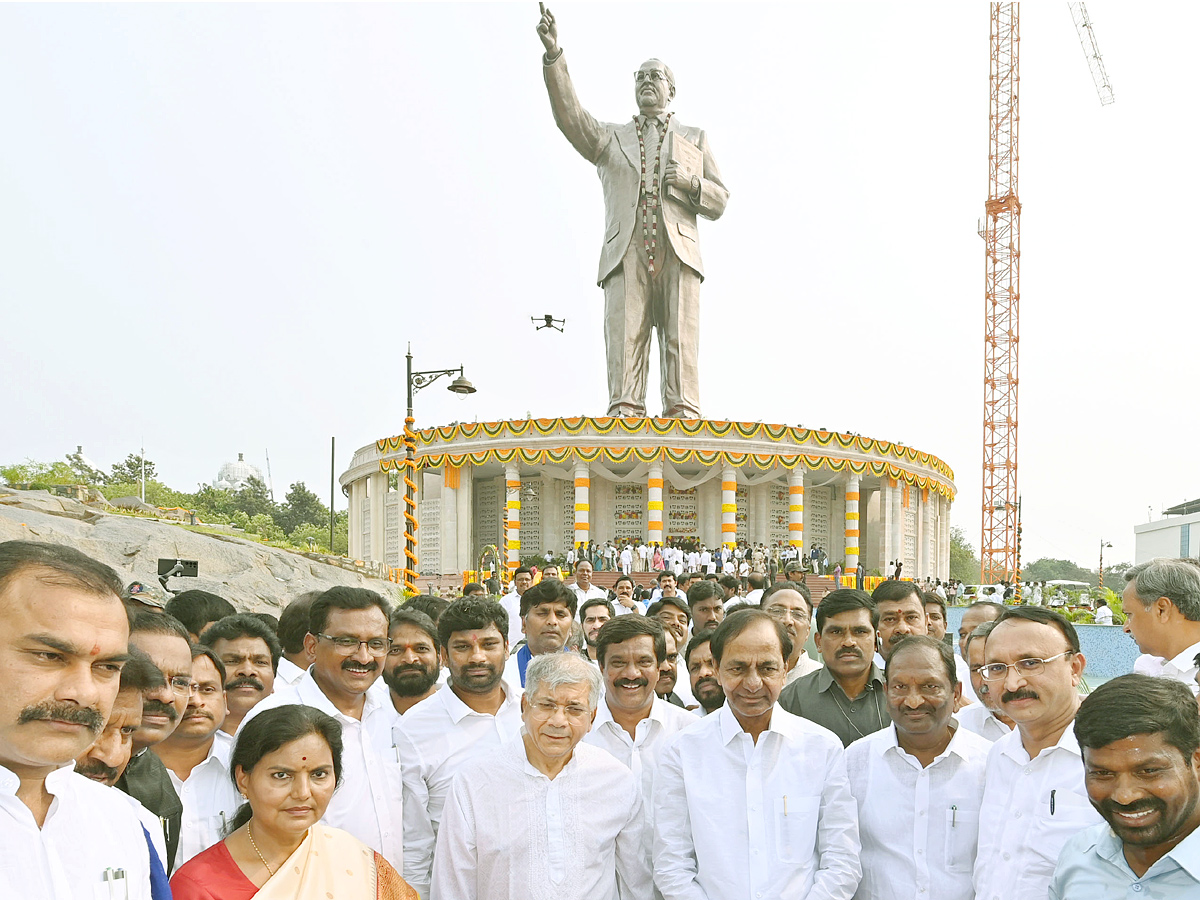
<point x="919" y="825"/>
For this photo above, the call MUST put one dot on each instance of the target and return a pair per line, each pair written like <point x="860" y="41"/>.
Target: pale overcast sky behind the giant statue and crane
<point x="221" y="224"/>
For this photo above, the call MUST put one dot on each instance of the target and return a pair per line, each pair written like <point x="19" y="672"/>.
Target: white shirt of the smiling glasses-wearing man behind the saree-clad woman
<point x="369" y="803"/>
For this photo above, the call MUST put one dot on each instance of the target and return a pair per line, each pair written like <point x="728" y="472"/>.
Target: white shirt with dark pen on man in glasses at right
<point x="1031" y="809"/>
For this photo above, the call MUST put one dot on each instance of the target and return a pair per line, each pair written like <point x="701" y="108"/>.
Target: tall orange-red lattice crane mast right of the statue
<point x="1003" y="239"/>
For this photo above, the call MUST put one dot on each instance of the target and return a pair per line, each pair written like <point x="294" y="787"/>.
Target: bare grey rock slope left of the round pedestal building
<point x="254" y="577"/>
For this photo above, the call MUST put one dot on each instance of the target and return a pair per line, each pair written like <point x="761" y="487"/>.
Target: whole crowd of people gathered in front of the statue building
<point x="563" y="741"/>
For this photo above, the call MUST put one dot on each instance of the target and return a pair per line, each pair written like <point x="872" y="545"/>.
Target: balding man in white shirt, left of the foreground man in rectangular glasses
<point x="919" y="783"/>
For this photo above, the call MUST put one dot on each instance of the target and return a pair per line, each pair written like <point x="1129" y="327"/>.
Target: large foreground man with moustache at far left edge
<point x="64" y="639"/>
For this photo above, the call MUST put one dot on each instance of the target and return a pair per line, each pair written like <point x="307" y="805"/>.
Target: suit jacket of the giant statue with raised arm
<point x="614" y="151"/>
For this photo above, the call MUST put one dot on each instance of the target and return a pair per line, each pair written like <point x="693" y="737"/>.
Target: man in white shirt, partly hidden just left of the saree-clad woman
<point x="197" y="760"/>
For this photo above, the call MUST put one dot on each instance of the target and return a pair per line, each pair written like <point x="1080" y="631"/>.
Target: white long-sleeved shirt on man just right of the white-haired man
<point x="737" y="820"/>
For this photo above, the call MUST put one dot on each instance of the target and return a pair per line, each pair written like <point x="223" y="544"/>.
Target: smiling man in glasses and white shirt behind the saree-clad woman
<point x="349" y="641"/>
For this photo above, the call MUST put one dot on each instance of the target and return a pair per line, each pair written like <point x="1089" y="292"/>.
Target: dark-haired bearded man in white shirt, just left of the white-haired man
<point x="475" y="715"/>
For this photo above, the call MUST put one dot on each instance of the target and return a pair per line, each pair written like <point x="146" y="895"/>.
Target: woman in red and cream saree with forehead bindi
<point x="287" y="764"/>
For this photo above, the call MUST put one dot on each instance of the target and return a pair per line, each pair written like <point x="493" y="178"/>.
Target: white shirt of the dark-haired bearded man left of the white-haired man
<point x="435" y="740"/>
